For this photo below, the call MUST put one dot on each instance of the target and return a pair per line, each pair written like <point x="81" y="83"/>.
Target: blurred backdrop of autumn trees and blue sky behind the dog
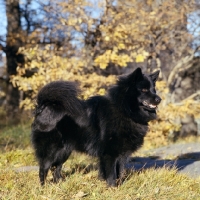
<point x="91" y="41"/>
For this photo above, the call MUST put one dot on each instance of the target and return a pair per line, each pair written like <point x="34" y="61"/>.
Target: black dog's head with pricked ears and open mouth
<point x="140" y="98"/>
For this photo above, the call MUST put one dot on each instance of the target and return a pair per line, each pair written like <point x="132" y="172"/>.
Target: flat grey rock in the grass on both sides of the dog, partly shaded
<point x="185" y="157"/>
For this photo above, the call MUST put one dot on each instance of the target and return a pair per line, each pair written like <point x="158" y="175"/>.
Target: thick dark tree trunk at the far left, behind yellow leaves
<point x="13" y="42"/>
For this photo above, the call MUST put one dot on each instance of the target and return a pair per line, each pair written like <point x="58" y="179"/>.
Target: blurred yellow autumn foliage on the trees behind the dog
<point x="118" y="33"/>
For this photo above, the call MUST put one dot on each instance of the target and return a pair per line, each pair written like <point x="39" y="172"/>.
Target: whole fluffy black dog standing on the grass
<point x="110" y="127"/>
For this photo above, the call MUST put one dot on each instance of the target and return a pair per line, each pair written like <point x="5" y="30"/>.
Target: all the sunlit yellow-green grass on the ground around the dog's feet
<point x="81" y="180"/>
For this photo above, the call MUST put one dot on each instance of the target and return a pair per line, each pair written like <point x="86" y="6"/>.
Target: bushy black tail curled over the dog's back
<point x="54" y="101"/>
